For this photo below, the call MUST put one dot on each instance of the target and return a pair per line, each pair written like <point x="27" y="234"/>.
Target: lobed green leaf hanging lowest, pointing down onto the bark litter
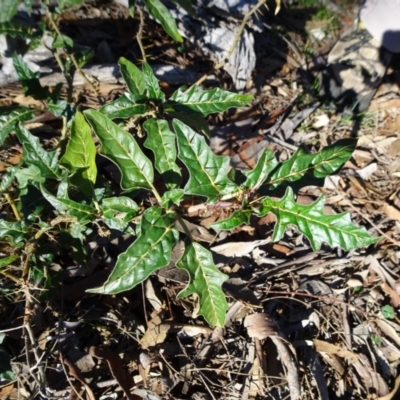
<point x="205" y="280"/>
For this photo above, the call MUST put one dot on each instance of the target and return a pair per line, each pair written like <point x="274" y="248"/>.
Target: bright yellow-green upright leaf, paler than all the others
<point x="80" y="155"/>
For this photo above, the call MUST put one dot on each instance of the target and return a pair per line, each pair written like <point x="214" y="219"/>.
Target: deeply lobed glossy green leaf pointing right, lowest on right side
<point x="335" y="230"/>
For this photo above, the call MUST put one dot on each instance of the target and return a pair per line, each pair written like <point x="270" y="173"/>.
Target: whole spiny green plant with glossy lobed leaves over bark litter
<point x="164" y="157"/>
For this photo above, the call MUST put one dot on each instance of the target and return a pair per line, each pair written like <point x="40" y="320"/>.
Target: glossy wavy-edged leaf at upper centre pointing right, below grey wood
<point x="208" y="101"/>
